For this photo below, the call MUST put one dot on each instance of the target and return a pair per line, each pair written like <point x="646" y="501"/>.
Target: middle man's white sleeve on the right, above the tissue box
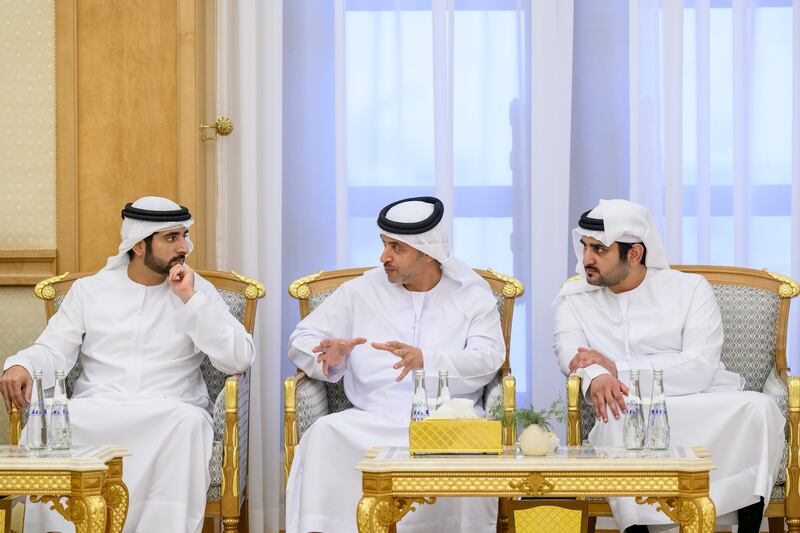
<point x="484" y="352"/>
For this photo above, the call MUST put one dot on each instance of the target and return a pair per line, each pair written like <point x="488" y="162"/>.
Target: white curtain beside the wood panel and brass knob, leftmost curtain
<point x="249" y="218"/>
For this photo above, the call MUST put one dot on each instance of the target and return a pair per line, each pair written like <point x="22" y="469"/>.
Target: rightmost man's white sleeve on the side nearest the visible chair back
<point x="692" y="369"/>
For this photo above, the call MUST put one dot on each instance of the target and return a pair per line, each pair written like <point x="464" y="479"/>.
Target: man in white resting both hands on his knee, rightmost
<point x="628" y="311"/>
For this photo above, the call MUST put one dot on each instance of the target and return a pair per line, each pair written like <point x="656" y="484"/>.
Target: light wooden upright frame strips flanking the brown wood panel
<point x="192" y="189"/>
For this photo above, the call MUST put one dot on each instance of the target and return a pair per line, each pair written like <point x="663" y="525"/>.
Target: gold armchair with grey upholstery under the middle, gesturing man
<point x="306" y="399"/>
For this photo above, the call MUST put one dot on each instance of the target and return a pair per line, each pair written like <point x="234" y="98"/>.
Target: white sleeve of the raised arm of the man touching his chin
<point x="216" y="332"/>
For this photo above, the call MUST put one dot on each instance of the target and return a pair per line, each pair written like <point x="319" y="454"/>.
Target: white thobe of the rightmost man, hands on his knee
<point x="671" y="321"/>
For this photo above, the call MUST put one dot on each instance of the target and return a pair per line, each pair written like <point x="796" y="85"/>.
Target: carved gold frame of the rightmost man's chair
<point x="786" y="289"/>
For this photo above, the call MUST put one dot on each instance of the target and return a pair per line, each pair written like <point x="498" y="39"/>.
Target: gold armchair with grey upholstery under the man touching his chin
<point x="228" y="397"/>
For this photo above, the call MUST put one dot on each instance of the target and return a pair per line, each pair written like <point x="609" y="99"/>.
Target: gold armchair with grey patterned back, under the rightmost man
<point x="755" y="310"/>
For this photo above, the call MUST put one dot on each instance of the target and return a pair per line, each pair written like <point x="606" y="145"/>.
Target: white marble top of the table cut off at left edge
<point x="77" y="458"/>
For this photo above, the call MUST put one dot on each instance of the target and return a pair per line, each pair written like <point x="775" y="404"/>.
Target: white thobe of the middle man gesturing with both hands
<point x="461" y="335"/>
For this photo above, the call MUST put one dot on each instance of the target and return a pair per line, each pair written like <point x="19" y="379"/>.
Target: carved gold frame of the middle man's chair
<point x="505" y="287"/>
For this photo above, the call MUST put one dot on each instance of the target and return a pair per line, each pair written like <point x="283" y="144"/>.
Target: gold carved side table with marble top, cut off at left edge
<point x="89" y="478"/>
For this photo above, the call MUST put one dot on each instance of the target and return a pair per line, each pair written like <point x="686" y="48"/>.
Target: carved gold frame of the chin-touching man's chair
<point x="232" y="505"/>
